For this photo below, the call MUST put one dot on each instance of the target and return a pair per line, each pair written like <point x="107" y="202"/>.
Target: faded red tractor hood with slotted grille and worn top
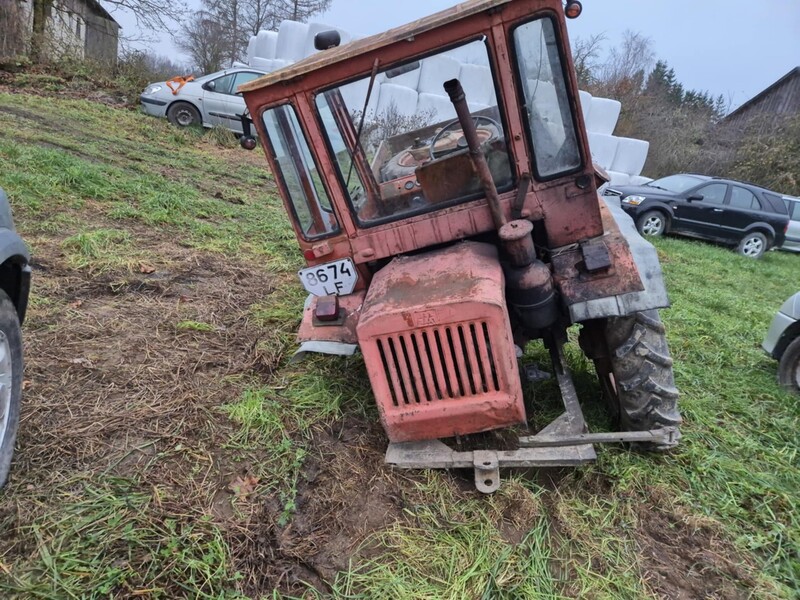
<point x="438" y="347"/>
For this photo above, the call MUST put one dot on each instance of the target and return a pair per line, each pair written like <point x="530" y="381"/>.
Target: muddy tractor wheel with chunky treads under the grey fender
<point x="635" y="371"/>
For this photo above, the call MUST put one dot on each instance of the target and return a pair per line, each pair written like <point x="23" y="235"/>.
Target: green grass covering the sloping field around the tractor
<point x="101" y="180"/>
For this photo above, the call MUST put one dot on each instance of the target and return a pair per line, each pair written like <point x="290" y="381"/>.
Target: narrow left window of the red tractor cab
<point x="298" y="173"/>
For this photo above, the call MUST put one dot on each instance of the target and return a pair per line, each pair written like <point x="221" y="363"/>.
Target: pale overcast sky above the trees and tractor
<point x="731" y="47"/>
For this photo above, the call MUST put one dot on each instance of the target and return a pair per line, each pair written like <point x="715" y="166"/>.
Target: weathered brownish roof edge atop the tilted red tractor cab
<point x="374" y="42"/>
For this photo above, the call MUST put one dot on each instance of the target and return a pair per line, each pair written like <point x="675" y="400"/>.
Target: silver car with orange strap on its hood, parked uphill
<point x="208" y="100"/>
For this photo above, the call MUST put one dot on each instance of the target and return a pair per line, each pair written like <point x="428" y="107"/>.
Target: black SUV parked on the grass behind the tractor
<point x="722" y="210"/>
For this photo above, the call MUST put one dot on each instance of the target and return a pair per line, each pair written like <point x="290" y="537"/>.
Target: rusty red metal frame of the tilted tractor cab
<point x="569" y="213"/>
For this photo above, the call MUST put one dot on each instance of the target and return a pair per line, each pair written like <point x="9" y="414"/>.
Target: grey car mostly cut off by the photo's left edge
<point x="15" y="285"/>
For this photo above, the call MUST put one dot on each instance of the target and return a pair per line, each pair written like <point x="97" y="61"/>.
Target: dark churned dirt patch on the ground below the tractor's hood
<point x="344" y="493"/>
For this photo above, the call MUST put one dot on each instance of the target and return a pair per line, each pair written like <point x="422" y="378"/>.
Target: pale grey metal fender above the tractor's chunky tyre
<point x="645" y="257"/>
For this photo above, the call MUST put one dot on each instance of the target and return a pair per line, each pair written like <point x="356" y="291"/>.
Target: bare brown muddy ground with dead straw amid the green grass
<point x="113" y="387"/>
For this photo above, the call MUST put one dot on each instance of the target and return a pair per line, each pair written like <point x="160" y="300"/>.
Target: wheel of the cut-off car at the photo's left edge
<point x="10" y="382"/>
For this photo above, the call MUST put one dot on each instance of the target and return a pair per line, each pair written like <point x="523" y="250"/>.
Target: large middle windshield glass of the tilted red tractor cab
<point x="411" y="155"/>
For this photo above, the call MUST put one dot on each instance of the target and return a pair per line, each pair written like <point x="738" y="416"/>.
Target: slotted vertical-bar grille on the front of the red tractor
<point x="439" y="363"/>
